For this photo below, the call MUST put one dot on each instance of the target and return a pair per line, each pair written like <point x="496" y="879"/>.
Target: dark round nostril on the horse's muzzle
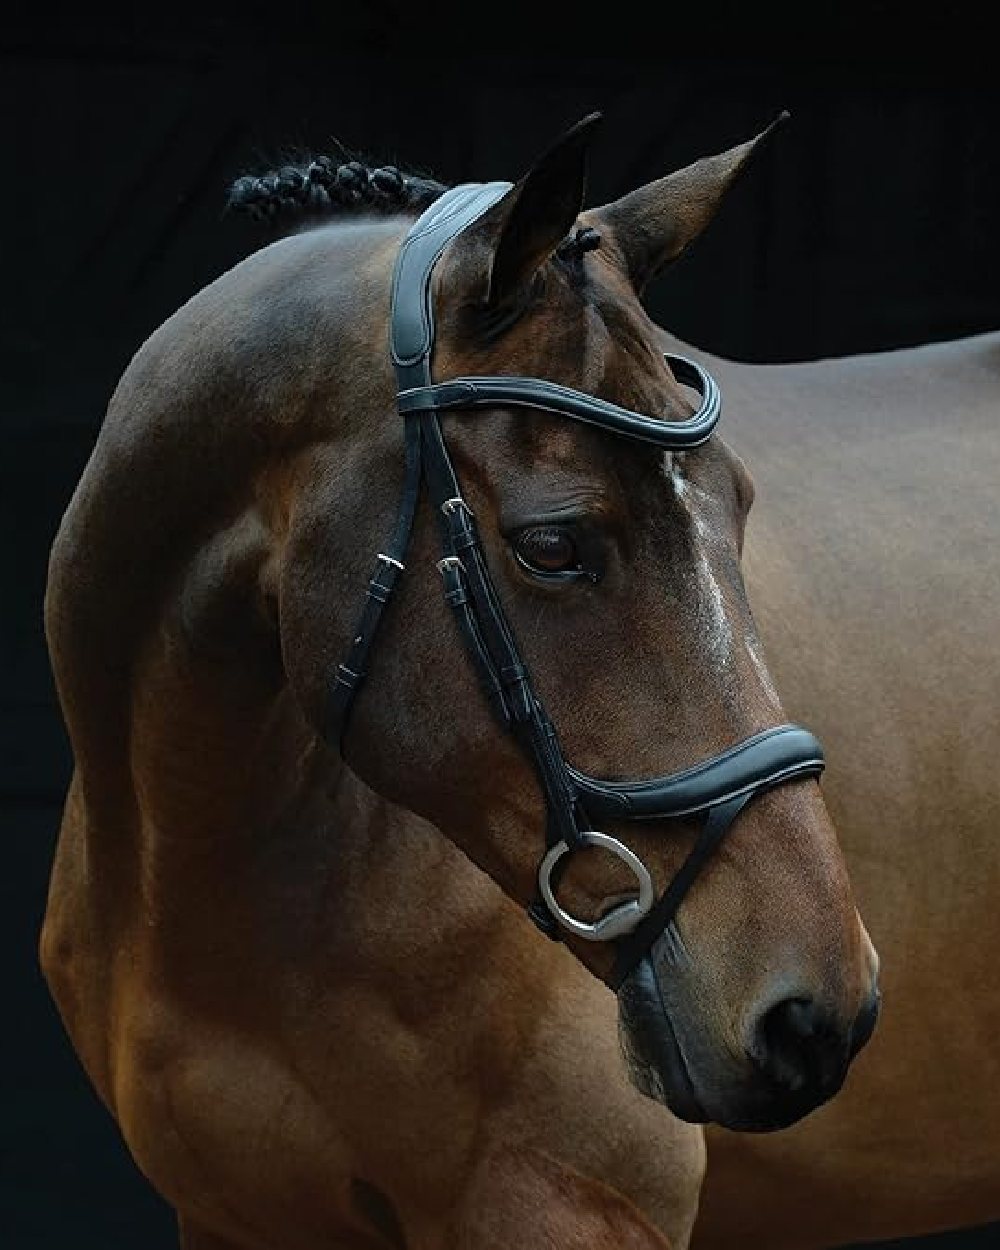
<point x="798" y="1046"/>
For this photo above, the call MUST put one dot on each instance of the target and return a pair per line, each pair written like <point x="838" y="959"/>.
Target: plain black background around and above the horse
<point x="871" y="223"/>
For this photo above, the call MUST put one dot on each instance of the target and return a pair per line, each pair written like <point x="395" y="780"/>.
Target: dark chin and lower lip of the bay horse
<point x="658" y="1067"/>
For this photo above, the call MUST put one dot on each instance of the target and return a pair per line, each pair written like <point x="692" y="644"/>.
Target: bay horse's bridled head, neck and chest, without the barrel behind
<point x="287" y="923"/>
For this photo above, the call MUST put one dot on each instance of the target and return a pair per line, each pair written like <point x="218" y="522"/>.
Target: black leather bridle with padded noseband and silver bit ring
<point x="721" y="787"/>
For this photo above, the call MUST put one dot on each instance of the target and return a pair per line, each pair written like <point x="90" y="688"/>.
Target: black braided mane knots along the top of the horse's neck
<point x="319" y="188"/>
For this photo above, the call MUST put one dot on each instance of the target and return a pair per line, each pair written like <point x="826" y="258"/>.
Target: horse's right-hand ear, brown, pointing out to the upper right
<point x="656" y="223"/>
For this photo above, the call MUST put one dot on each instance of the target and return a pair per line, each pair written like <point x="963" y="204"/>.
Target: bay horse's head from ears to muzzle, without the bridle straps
<point x="617" y="567"/>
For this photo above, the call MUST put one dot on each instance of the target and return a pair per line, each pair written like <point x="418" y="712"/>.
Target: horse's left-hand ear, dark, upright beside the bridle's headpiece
<point x="526" y="227"/>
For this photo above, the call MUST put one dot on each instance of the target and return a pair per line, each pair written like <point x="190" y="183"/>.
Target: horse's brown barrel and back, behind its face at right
<point x="876" y="539"/>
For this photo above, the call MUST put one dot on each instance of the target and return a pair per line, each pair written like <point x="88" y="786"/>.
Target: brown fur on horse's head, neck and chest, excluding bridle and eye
<point x="312" y="1018"/>
